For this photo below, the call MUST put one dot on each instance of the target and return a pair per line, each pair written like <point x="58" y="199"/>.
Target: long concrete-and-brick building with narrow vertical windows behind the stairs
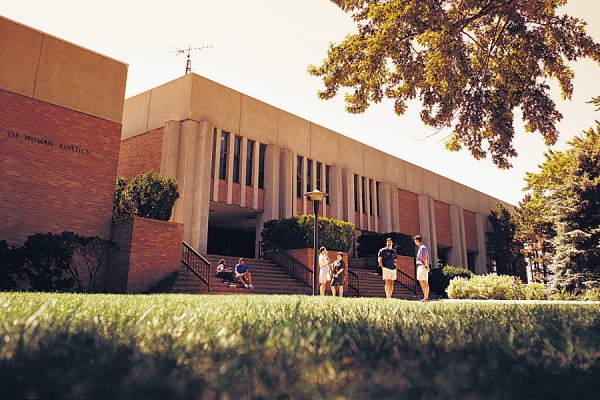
<point x="241" y="162"/>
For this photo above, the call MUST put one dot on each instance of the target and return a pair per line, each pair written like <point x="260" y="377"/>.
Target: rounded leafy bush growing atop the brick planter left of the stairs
<point x="148" y="195"/>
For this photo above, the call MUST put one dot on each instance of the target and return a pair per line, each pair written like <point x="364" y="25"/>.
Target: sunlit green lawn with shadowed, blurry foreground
<point x="180" y="346"/>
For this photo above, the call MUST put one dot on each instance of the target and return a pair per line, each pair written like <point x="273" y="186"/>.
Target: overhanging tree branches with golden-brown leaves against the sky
<point x="469" y="62"/>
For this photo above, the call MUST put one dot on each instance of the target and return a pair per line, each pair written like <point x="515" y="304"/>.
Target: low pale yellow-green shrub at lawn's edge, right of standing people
<point x="494" y="287"/>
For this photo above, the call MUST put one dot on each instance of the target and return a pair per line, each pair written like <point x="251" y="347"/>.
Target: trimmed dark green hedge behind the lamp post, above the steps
<point x="297" y="233"/>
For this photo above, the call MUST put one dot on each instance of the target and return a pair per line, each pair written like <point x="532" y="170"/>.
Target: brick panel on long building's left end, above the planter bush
<point x="141" y="154"/>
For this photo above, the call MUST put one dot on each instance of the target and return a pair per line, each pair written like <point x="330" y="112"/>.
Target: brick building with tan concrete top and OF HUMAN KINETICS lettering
<point x="60" y="128"/>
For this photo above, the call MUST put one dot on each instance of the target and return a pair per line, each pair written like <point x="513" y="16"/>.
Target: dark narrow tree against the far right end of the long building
<point x="501" y="243"/>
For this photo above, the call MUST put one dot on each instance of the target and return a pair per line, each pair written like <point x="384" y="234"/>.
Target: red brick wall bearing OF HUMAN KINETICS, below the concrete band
<point x="57" y="169"/>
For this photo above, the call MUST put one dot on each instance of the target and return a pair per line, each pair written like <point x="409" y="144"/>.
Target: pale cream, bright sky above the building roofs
<point x="262" y="48"/>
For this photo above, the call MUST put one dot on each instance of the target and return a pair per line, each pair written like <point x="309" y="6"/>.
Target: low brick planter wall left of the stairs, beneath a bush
<point x="148" y="251"/>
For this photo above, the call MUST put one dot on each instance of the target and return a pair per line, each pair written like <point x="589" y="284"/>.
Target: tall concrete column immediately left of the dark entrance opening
<point x="201" y="201"/>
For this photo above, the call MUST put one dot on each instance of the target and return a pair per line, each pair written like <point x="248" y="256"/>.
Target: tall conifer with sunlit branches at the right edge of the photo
<point x="576" y="207"/>
